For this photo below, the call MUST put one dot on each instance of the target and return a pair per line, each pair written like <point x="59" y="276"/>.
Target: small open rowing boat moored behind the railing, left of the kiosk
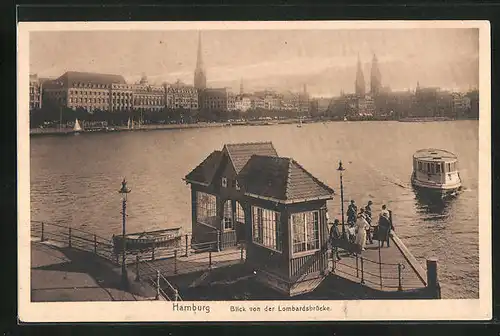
<point x="147" y="240"/>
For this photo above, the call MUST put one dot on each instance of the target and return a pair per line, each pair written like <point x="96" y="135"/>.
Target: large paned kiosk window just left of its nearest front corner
<point x="266" y="228"/>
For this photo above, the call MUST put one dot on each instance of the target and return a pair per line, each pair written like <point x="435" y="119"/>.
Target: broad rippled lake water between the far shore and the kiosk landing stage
<point x="75" y="180"/>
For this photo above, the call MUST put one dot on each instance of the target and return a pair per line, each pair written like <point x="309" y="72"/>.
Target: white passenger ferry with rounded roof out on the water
<point x="436" y="170"/>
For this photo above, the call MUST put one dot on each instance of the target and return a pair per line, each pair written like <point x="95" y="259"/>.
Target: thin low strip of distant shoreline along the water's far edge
<point x="69" y="131"/>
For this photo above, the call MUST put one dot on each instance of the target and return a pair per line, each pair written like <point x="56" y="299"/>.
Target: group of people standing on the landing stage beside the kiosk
<point x="361" y="230"/>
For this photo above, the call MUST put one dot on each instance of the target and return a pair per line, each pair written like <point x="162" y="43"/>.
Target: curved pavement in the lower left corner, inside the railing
<point x="59" y="273"/>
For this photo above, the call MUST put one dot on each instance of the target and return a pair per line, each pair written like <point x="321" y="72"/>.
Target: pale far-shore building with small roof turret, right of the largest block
<point x="148" y="97"/>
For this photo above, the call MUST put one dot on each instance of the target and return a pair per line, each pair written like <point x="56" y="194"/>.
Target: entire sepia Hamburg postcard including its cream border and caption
<point x="254" y="171"/>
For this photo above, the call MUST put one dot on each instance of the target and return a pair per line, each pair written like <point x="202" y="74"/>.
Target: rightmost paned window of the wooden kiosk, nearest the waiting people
<point x="305" y="231"/>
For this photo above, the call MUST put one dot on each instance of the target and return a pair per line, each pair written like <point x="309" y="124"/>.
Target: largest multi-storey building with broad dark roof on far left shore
<point x="86" y="90"/>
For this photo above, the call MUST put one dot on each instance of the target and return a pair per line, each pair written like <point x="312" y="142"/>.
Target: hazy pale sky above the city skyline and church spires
<point x="324" y="60"/>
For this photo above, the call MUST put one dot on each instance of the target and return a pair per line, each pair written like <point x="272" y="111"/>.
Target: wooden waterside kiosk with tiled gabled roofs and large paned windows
<point x="247" y="193"/>
